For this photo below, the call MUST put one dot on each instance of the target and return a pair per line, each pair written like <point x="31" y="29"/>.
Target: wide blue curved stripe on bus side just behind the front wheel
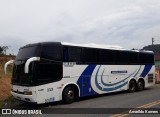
<point x="84" y="81"/>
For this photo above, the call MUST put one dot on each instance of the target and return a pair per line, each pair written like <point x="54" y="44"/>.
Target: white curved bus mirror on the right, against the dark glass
<point x="26" y="67"/>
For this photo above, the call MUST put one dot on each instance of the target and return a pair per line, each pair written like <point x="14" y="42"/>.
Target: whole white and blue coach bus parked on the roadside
<point x="53" y="71"/>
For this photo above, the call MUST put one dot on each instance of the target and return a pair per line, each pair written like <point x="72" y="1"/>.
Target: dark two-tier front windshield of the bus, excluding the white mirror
<point x="18" y="76"/>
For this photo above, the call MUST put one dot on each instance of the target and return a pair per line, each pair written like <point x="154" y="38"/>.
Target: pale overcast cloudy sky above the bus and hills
<point x="126" y="23"/>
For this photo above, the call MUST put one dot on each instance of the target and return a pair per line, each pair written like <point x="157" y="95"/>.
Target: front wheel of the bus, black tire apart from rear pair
<point x="68" y="95"/>
